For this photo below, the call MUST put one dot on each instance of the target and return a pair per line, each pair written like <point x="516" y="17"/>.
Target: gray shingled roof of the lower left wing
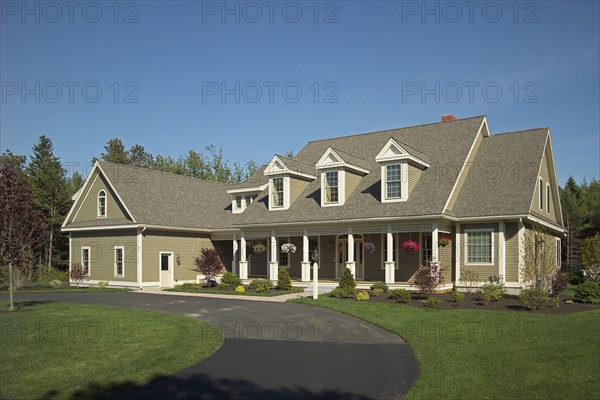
<point x="159" y="198"/>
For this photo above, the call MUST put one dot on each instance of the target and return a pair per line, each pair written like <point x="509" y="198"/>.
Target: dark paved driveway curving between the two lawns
<point x="273" y="351"/>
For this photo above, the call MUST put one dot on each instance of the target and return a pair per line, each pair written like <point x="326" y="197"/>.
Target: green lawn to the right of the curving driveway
<point x="472" y="354"/>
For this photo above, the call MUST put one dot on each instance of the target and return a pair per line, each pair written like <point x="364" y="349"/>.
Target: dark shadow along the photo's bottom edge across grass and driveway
<point x="199" y="386"/>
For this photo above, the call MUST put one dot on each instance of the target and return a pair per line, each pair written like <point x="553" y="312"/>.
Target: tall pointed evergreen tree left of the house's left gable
<point x="49" y="186"/>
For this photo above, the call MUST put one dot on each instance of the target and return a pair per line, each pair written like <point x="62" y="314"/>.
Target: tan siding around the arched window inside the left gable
<point x="89" y="206"/>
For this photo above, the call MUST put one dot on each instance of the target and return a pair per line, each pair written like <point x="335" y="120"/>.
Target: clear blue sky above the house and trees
<point x="184" y="74"/>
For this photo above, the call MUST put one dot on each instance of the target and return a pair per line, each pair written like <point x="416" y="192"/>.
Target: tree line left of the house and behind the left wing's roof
<point x="37" y="195"/>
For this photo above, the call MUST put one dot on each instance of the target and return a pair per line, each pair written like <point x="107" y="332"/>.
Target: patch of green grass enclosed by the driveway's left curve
<point x="61" y="350"/>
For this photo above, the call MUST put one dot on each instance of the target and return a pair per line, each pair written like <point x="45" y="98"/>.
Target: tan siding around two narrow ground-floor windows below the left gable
<point x="102" y="253"/>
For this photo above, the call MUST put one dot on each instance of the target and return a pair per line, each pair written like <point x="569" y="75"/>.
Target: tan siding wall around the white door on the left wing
<point x="185" y="245"/>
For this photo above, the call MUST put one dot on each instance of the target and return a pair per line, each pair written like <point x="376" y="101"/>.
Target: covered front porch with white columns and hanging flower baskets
<point x="372" y="253"/>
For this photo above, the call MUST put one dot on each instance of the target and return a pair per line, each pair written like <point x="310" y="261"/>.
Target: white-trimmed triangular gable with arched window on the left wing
<point x="86" y="206"/>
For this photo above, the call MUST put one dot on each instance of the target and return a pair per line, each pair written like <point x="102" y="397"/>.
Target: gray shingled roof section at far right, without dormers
<point x="503" y="176"/>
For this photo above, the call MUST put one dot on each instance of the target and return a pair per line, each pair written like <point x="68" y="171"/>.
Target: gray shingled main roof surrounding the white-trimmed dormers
<point x="447" y="143"/>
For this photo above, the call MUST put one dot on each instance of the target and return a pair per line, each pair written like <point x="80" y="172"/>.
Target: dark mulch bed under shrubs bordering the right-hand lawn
<point x="474" y="302"/>
